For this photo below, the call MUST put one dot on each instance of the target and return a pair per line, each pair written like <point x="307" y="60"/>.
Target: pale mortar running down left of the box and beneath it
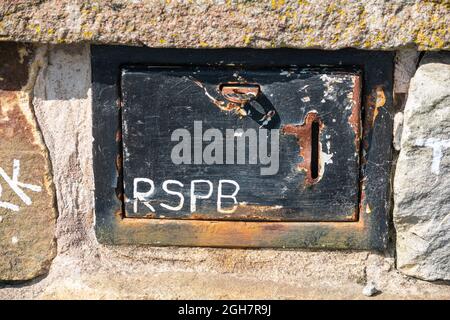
<point x="85" y="269"/>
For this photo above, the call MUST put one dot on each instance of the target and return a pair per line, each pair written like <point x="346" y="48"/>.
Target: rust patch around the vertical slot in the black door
<point x="303" y="133"/>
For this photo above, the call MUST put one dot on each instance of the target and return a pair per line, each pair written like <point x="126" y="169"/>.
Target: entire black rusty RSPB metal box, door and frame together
<point x="242" y="148"/>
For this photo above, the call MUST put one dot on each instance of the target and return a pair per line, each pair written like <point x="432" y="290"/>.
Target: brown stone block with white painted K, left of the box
<point x="27" y="213"/>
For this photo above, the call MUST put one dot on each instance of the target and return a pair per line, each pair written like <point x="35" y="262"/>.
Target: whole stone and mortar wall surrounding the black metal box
<point x="48" y="247"/>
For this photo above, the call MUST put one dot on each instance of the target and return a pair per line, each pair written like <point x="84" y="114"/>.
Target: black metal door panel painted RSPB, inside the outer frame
<point x="315" y="112"/>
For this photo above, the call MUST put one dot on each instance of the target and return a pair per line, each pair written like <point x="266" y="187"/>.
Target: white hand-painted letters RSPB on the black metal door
<point x="144" y="189"/>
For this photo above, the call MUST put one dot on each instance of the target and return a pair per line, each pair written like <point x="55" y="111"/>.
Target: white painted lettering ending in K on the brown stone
<point x="17" y="187"/>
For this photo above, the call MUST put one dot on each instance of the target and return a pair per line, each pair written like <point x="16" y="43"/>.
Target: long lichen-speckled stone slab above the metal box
<point x="329" y="24"/>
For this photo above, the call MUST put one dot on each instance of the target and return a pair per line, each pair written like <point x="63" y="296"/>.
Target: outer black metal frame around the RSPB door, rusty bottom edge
<point x="369" y="232"/>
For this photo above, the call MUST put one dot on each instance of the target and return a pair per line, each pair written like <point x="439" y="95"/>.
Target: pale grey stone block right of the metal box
<point x="422" y="178"/>
